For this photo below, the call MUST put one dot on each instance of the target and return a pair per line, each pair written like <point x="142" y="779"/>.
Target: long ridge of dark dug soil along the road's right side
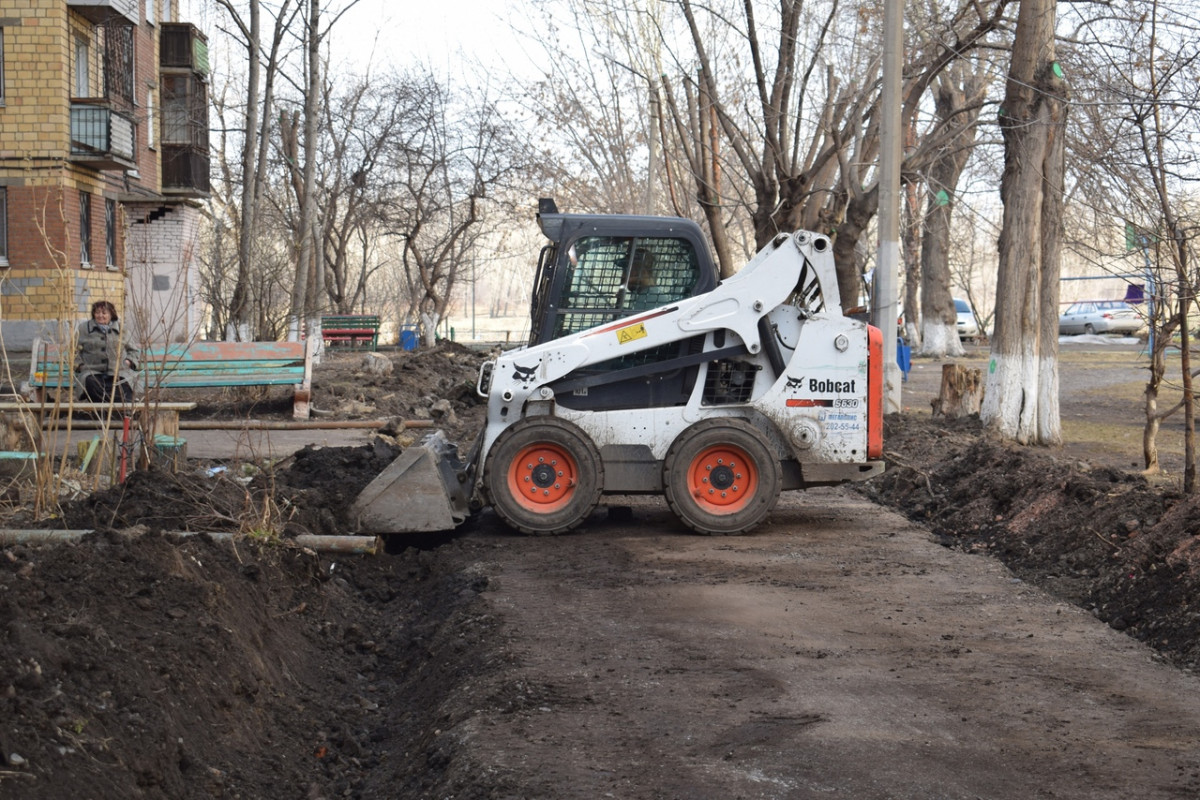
<point x="1102" y="539"/>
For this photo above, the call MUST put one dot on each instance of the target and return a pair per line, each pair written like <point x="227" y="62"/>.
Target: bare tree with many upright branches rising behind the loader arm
<point x="820" y="176"/>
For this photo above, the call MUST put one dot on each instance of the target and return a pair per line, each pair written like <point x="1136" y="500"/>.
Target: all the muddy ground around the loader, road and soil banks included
<point x="1012" y="623"/>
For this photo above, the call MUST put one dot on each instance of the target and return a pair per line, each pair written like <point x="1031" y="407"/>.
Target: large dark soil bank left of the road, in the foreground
<point x="146" y="666"/>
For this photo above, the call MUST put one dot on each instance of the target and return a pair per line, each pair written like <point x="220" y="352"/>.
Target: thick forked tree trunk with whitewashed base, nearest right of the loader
<point x="1022" y="400"/>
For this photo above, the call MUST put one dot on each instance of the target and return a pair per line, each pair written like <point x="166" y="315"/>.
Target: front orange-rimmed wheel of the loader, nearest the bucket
<point x="544" y="477"/>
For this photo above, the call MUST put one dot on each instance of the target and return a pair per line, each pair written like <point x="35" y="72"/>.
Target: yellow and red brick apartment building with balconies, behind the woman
<point x="104" y="158"/>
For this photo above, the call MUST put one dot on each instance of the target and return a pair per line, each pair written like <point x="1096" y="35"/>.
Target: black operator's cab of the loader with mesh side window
<point x="601" y="268"/>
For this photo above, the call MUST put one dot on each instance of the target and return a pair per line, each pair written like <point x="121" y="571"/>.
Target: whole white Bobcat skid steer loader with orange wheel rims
<point x="645" y="375"/>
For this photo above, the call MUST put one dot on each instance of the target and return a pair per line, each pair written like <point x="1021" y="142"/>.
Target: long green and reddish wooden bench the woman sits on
<point x="195" y="366"/>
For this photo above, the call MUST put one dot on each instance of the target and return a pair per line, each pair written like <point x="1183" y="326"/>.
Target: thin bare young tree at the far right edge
<point x="1138" y="169"/>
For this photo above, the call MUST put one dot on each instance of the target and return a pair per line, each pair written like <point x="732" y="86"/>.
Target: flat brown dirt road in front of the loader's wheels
<point x="839" y="653"/>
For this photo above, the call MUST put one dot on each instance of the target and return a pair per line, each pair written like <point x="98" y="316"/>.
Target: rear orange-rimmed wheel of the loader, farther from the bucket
<point x="722" y="477"/>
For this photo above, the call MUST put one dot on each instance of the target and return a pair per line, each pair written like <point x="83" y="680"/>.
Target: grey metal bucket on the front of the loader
<point x="425" y="490"/>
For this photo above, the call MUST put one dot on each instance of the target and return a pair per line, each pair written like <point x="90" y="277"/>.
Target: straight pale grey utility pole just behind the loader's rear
<point x="885" y="302"/>
